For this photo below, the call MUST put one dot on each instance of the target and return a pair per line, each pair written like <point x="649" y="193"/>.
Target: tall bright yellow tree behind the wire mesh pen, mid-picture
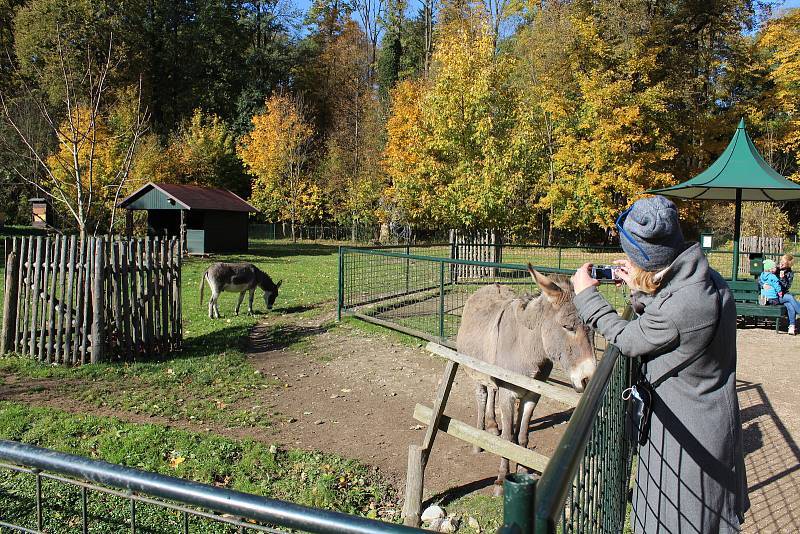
<point x="455" y="157"/>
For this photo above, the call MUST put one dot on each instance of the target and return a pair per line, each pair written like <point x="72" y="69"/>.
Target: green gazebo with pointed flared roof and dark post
<point x="740" y="173"/>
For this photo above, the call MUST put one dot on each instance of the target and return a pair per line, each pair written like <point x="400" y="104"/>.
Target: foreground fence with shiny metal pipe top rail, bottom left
<point x="66" y="493"/>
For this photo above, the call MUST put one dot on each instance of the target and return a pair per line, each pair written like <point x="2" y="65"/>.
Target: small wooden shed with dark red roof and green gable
<point x="212" y="220"/>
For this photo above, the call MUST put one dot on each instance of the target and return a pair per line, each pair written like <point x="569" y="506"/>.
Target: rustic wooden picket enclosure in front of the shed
<point x="73" y="301"/>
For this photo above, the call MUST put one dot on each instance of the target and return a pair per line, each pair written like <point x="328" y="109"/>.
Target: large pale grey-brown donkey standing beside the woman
<point x="524" y="334"/>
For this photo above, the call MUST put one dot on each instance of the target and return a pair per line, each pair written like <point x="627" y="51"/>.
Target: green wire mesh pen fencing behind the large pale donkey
<point x="422" y="290"/>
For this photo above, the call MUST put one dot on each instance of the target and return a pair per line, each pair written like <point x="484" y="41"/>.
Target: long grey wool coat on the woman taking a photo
<point x="691" y="477"/>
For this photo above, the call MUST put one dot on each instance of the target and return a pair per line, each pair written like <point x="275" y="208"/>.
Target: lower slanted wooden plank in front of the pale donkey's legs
<point x="485" y="440"/>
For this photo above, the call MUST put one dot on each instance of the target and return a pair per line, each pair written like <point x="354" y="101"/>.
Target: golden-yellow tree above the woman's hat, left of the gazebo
<point x="611" y="148"/>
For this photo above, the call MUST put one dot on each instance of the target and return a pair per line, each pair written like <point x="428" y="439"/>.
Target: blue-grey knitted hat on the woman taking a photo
<point x="651" y="235"/>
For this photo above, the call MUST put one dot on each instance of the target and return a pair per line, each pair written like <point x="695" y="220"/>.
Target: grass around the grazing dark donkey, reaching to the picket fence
<point x="210" y="380"/>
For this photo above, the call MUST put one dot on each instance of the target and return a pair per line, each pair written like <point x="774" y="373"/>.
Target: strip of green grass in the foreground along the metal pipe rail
<point x="313" y="479"/>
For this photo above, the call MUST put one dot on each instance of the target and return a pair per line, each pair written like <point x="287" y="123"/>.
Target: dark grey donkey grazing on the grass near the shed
<point x="237" y="277"/>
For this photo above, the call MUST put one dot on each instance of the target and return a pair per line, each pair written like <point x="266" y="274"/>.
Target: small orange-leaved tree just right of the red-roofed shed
<point x="275" y="152"/>
